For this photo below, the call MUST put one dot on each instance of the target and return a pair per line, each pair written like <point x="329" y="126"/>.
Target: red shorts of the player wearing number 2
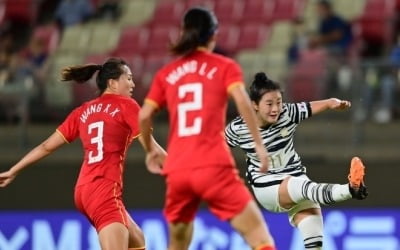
<point x="220" y="187"/>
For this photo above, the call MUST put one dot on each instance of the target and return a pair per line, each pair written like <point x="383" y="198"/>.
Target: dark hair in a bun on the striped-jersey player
<point x="261" y="85"/>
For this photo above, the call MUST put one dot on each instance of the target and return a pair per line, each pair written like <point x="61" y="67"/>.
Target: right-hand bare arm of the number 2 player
<point x="245" y="109"/>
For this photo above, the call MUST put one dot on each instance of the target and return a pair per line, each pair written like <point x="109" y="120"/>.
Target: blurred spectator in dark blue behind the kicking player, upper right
<point x="334" y="33"/>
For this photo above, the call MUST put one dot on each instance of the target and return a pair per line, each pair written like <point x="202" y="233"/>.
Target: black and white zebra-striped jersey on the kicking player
<point x="278" y="139"/>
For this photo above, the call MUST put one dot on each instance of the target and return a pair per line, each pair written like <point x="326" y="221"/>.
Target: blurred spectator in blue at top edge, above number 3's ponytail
<point x="71" y="12"/>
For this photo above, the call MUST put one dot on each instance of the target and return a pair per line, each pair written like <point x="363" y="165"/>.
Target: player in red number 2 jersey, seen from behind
<point x="199" y="167"/>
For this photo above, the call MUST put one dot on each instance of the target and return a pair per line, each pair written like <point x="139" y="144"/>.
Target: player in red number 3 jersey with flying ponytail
<point x="106" y="126"/>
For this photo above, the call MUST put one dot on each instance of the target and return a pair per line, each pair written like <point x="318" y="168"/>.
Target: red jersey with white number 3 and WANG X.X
<point x="106" y="127"/>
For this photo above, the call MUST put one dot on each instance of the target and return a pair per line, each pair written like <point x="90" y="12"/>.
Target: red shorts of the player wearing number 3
<point x="101" y="202"/>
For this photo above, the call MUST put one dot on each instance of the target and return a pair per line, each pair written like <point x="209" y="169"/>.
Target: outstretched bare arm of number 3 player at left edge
<point x="39" y="152"/>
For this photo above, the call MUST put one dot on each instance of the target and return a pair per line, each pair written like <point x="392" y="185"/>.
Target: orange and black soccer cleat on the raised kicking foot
<point x="357" y="187"/>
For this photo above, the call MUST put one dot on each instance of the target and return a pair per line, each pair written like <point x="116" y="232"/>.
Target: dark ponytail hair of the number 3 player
<point x="111" y="69"/>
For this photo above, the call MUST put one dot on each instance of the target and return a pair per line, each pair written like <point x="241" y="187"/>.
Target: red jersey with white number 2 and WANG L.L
<point x="194" y="89"/>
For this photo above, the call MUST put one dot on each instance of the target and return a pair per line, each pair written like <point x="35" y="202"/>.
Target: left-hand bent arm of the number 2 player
<point x="155" y="154"/>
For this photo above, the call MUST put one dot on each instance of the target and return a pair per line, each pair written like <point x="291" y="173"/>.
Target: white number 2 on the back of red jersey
<point x="185" y="129"/>
